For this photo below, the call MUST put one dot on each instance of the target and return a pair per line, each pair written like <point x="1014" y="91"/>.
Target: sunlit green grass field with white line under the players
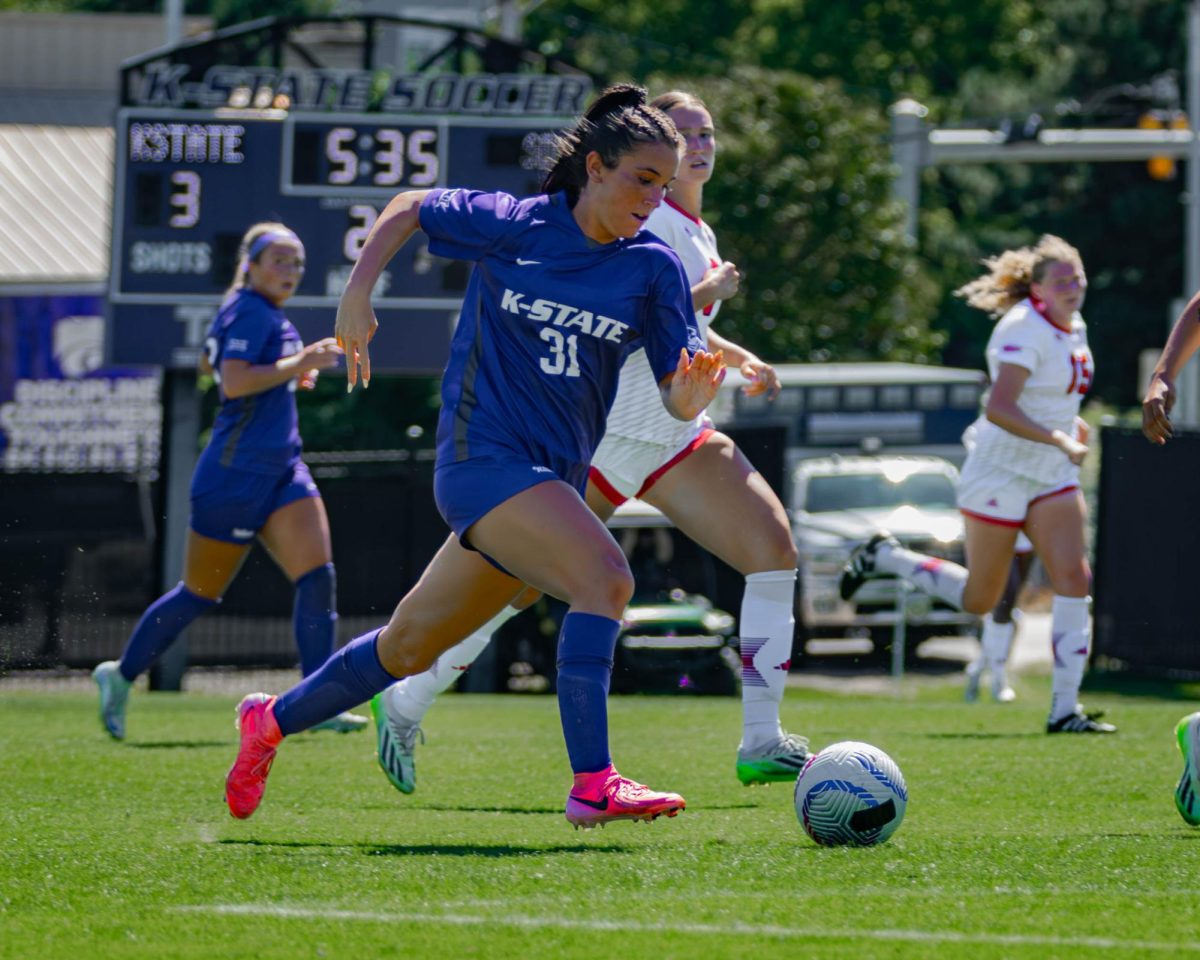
<point x="1016" y="844"/>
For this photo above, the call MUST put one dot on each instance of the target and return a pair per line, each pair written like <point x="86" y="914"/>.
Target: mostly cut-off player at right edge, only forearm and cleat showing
<point x="1156" y="424"/>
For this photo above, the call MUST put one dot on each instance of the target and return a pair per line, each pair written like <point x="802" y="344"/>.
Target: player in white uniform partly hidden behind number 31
<point x="695" y="476"/>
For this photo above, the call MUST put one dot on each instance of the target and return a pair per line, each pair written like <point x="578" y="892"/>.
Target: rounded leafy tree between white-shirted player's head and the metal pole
<point x="802" y="202"/>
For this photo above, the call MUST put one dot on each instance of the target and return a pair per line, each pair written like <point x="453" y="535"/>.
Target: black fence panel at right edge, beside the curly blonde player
<point x="1148" y="555"/>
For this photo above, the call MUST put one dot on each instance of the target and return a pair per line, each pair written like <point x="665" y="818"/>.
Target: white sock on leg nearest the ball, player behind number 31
<point x="766" y="626"/>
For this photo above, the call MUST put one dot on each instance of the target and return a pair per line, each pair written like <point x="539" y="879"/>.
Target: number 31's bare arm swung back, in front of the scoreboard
<point x="357" y="325"/>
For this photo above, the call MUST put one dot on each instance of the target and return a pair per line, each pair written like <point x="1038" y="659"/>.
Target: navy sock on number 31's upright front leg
<point x="585" y="669"/>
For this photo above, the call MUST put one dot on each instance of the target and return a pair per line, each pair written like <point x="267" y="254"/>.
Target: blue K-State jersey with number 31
<point x="547" y="322"/>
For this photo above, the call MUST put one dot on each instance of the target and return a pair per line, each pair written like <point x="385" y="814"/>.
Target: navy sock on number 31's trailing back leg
<point x="350" y="677"/>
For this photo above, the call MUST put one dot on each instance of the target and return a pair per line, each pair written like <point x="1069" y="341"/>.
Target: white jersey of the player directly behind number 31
<point x="638" y="411"/>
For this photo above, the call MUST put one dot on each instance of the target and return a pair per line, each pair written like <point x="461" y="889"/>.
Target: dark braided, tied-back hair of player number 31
<point x="619" y="122"/>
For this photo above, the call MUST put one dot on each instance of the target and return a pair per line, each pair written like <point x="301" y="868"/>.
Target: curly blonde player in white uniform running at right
<point x="1024" y="470"/>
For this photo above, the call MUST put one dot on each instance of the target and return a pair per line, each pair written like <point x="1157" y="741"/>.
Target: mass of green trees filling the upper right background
<point x="973" y="65"/>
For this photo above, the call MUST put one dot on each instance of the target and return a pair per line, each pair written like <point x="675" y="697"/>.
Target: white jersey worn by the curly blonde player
<point x="1060" y="365"/>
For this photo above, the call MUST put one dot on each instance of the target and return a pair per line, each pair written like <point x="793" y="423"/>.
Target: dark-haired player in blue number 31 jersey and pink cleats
<point x="562" y="292"/>
